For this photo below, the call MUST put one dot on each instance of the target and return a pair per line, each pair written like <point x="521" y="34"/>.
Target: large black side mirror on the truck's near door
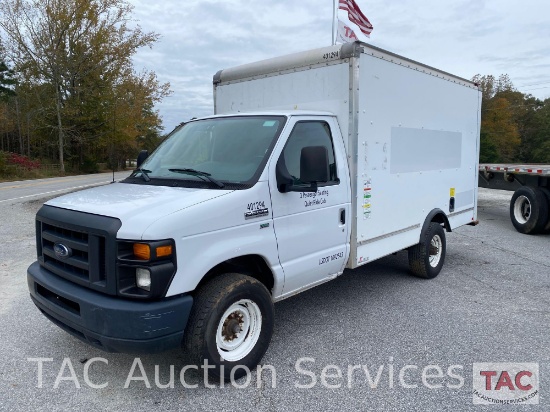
<point x="314" y="168"/>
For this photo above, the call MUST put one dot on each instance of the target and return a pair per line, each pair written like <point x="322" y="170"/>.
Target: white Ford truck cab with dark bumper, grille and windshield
<point x="264" y="196"/>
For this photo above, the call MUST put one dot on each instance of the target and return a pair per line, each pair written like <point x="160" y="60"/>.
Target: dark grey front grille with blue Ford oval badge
<point x="91" y="240"/>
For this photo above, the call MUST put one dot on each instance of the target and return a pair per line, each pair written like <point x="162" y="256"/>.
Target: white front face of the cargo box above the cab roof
<point x="316" y="80"/>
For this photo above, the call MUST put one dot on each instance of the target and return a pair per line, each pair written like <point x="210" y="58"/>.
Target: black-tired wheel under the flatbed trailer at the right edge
<point x="529" y="210"/>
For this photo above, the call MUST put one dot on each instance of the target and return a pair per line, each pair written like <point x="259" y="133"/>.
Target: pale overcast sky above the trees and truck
<point x="463" y="37"/>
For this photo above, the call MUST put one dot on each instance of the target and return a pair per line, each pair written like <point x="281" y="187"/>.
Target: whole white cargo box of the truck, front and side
<point x="411" y="133"/>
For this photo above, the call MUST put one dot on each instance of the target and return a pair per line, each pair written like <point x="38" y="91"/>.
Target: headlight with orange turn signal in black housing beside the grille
<point x="145" y="268"/>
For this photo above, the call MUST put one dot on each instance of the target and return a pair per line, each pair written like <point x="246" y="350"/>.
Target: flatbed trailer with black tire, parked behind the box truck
<point x="530" y="203"/>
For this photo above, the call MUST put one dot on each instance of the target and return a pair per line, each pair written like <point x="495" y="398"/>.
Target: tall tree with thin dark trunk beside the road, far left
<point x="79" y="50"/>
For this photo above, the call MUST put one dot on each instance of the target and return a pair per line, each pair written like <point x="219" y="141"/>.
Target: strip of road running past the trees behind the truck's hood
<point x="14" y="192"/>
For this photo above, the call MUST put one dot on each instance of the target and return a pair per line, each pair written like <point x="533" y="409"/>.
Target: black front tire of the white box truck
<point x="212" y="301"/>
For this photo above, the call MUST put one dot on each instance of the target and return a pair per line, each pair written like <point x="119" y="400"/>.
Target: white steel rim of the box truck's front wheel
<point x="238" y="330"/>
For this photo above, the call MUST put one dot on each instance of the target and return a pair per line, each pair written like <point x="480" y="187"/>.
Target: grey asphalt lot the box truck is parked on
<point x="489" y="304"/>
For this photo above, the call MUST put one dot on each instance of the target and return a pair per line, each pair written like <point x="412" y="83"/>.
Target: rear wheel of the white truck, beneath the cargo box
<point x="432" y="245"/>
